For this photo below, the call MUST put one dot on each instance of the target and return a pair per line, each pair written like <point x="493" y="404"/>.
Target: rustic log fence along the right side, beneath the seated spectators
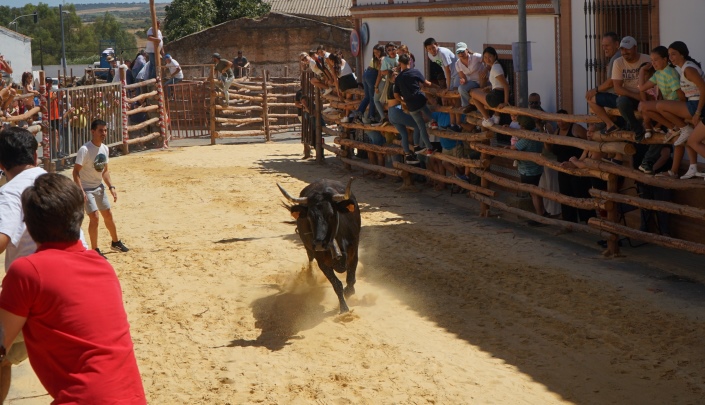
<point x="492" y="158"/>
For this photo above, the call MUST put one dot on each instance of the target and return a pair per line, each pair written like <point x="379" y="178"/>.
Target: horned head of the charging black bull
<point x="321" y="209"/>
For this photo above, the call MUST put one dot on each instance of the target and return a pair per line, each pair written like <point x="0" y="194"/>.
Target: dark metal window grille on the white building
<point x="626" y="18"/>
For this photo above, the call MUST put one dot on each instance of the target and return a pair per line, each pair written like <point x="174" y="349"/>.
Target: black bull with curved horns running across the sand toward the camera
<point x="328" y="223"/>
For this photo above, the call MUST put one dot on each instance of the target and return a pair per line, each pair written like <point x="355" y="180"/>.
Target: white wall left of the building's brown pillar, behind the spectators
<point x="477" y="31"/>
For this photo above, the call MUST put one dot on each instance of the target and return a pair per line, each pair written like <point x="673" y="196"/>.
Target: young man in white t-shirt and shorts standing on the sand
<point x="89" y="172"/>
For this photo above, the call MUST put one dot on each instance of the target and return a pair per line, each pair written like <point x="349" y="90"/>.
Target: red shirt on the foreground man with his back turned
<point x="77" y="334"/>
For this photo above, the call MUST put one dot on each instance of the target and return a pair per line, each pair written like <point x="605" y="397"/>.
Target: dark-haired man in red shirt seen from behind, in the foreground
<point x="68" y="303"/>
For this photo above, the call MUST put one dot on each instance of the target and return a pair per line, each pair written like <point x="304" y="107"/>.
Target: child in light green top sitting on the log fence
<point x="658" y="80"/>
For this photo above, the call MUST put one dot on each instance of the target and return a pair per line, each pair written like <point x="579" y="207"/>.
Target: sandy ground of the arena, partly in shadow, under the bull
<point x="450" y="308"/>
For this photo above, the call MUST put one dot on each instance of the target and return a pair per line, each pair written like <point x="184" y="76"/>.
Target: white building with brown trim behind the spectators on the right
<point x="564" y="34"/>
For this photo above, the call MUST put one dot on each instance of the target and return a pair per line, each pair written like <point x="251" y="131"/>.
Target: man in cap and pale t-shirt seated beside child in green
<point x="625" y="79"/>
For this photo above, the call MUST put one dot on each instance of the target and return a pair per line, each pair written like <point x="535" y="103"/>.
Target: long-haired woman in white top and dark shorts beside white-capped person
<point x="496" y="95"/>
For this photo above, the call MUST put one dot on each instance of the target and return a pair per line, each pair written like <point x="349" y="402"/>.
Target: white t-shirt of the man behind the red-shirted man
<point x="12" y="218"/>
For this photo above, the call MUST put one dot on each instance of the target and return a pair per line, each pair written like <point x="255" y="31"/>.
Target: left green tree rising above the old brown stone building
<point x="184" y="17"/>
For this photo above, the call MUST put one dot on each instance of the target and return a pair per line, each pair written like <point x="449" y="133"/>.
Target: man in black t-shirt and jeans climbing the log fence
<point x="408" y="87"/>
